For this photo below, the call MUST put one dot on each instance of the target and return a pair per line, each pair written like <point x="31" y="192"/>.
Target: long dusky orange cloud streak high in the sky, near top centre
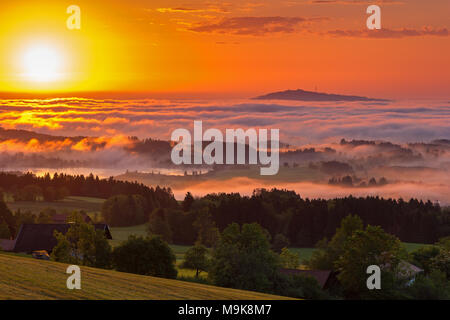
<point x="254" y="25"/>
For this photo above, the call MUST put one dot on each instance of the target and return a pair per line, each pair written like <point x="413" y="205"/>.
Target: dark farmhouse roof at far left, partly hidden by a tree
<point x="34" y="237"/>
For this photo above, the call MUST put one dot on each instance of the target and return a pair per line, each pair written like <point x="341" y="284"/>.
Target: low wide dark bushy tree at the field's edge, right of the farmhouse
<point x="146" y="256"/>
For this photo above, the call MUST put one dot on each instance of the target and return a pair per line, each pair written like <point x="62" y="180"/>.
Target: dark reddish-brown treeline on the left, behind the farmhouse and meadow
<point x="28" y="187"/>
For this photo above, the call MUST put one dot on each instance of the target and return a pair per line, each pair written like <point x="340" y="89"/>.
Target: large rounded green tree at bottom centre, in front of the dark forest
<point x="242" y="259"/>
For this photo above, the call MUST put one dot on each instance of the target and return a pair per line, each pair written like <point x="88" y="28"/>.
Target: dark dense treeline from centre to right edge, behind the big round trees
<point x="303" y="221"/>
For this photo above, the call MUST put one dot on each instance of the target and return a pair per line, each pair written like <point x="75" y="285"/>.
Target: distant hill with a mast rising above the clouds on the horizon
<point x="302" y="95"/>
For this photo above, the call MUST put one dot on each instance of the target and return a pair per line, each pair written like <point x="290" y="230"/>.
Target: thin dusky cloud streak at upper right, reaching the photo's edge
<point x="386" y="33"/>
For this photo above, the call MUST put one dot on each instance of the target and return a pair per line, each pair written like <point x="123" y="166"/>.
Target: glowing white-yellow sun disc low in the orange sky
<point x="42" y="64"/>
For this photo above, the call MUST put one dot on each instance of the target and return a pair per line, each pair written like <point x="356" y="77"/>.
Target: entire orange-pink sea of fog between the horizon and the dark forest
<point x="302" y="124"/>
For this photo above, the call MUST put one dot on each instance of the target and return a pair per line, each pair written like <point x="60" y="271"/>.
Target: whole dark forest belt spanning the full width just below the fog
<point x="303" y="221"/>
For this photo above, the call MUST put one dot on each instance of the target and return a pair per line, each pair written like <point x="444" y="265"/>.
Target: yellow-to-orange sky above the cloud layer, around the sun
<point x="231" y="48"/>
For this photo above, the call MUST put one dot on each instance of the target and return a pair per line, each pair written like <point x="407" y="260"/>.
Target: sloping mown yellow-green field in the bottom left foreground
<point x="25" y="278"/>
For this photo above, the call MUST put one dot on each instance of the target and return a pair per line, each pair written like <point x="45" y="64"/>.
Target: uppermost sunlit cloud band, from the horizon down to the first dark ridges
<point x="299" y="123"/>
